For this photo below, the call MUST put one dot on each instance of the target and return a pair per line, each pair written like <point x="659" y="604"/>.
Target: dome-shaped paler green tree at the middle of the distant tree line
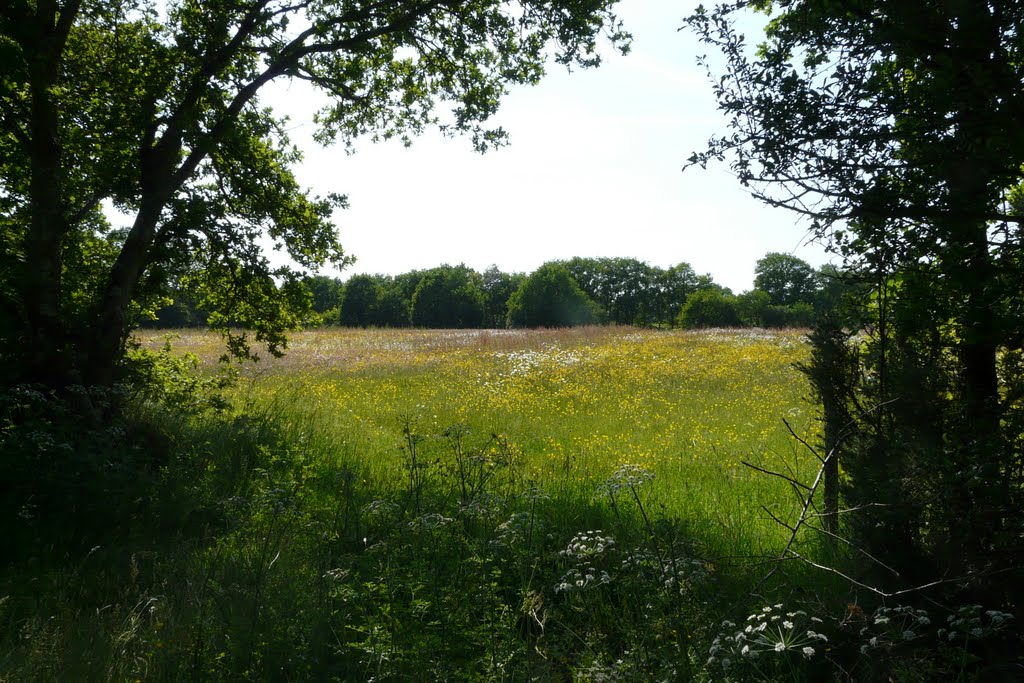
<point x="551" y="298"/>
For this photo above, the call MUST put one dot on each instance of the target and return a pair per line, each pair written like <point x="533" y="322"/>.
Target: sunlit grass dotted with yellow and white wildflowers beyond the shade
<point x="578" y="404"/>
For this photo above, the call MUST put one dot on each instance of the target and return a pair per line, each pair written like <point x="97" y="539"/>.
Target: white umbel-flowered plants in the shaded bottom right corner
<point x="892" y="643"/>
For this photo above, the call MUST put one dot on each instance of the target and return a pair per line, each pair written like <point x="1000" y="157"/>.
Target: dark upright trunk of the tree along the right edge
<point x="980" y="490"/>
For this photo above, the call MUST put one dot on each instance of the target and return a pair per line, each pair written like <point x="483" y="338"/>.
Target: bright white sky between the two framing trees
<point x="593" y="169"/>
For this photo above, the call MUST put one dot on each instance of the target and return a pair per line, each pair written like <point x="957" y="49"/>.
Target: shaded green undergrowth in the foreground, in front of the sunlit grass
<point x="258" y="548"/>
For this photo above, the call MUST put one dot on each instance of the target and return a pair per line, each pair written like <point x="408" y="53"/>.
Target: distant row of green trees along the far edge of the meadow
<point x="579" y="291"/>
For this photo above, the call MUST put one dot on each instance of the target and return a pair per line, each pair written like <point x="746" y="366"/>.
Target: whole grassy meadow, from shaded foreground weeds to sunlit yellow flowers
<point x="416" y="505"/>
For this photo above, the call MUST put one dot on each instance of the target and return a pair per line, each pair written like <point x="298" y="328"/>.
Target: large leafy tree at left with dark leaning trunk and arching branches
<point x="176" y="136"/>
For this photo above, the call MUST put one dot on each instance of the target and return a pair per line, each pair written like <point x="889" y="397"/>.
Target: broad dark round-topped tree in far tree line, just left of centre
<point x="449" y="297"/>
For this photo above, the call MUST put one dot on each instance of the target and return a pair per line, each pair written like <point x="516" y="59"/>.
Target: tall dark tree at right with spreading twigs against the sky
<point x="887" y="125"/>
